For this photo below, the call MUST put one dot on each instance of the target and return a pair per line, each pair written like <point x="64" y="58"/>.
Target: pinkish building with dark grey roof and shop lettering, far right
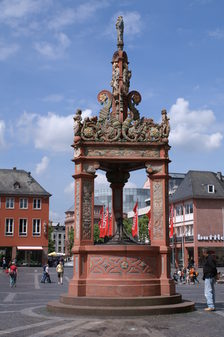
<point x="198" y="217"/>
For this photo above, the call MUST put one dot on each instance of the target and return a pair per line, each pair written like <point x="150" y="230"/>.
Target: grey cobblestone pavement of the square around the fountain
<point x="23" y="313"/>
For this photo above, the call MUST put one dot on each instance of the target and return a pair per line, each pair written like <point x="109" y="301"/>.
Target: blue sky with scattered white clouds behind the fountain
<point x="55" y="57"/>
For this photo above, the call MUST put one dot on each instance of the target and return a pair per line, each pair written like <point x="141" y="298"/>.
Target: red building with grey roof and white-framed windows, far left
<point x="24" y="218"/>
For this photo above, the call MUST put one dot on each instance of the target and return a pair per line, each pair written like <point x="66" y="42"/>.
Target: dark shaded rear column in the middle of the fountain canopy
<point x="117" y="179"/>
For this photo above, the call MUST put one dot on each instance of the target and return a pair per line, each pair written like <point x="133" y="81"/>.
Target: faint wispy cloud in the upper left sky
<point x="53" y="51"/>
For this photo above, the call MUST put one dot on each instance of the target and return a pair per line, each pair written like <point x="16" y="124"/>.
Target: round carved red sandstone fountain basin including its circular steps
<point x="119" y="280"/>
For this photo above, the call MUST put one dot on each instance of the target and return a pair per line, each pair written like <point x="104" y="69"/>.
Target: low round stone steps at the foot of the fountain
<point x="123" y="306"/>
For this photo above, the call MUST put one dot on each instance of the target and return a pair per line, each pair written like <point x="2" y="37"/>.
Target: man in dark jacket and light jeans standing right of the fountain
<point x="209" y="276"/>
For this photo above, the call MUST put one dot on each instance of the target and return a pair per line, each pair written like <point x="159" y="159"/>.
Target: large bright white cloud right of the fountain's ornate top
<point x="193" y="129"/>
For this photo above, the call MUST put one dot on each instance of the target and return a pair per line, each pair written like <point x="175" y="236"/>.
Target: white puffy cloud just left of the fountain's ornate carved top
<point x="50" y="132"/>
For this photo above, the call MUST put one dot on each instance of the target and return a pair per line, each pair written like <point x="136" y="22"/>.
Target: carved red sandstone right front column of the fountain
<point x="158" y="175"/>
